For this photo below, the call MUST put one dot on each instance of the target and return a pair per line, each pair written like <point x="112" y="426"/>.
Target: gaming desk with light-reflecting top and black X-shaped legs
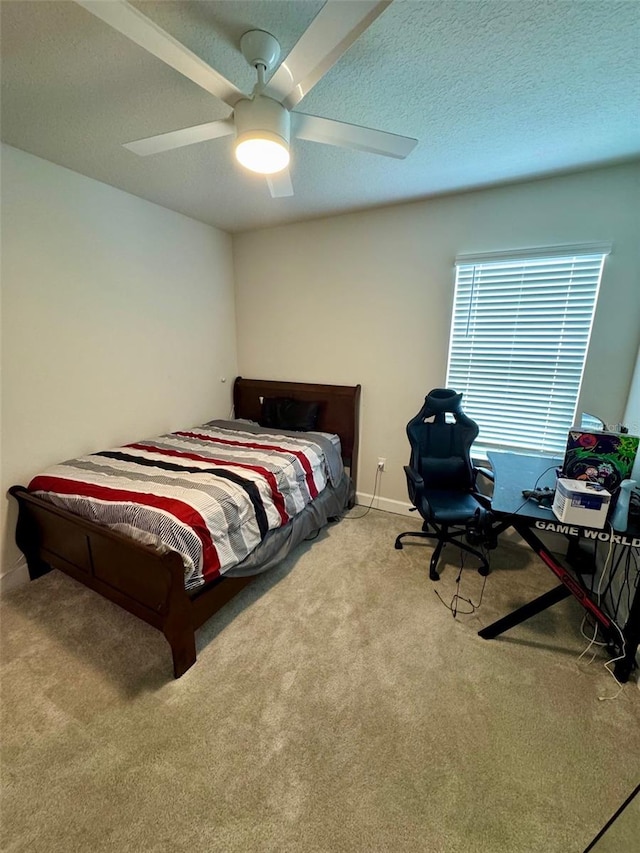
<point x="514" y="472"/>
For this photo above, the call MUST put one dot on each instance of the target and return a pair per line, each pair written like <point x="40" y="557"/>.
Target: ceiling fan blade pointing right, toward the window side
<point x="340" y="133"/>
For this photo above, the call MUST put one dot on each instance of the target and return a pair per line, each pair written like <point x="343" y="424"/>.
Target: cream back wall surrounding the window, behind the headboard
<point x="367" y="297"/>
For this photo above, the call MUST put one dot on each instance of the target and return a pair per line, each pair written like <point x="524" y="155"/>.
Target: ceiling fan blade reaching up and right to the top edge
<point x="334" y="29"/>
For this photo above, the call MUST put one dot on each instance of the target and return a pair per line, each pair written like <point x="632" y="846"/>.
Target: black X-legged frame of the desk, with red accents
<point x="525" y="524"/>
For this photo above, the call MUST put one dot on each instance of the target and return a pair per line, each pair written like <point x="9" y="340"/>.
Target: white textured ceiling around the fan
<point x="494" y="91"/>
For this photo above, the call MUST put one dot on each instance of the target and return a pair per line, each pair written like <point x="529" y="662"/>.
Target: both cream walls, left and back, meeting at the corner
<point x="118" y="316"/>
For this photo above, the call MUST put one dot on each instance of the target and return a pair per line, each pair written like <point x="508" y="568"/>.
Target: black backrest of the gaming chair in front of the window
<point x="440" y="450"/>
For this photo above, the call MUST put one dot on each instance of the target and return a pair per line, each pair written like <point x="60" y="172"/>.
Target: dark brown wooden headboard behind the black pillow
<point x="339" y="409"/>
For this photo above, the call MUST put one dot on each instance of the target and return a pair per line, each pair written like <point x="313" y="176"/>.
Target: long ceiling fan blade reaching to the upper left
<point x="126" y="19"/>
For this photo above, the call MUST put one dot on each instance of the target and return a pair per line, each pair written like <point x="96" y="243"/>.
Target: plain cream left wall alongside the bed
<point x="117" y="322"/>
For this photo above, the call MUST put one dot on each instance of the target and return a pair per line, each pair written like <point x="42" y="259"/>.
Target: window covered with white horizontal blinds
<point x="519" y="337"/>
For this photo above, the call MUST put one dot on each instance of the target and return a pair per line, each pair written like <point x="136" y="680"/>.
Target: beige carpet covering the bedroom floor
<point x="336" y="705"/>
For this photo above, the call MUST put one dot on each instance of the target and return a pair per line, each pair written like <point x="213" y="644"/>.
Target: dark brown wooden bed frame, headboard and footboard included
<point x="138" y="577"/>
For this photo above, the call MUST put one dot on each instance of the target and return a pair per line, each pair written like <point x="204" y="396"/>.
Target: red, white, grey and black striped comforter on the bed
<point x="211" y="494"/>
